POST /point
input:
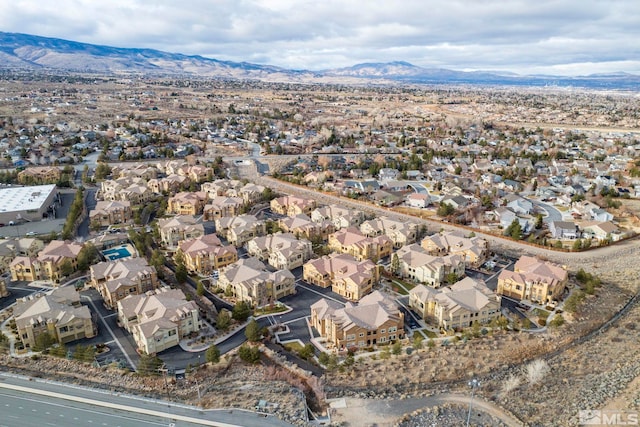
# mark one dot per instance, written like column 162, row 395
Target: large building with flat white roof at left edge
column 28, row 203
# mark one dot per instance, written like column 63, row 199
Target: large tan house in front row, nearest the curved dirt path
column 374, row 320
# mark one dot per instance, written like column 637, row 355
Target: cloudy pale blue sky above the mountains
column 565, row 37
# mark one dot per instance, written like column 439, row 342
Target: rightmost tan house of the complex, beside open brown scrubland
column 534, row 280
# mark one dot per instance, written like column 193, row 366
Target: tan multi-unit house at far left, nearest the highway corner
column 58, row 313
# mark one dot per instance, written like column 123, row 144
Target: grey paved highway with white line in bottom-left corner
column 28, row 403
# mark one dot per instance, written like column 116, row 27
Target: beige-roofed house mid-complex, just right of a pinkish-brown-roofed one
column 283, row 251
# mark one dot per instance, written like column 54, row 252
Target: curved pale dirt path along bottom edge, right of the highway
column 382, row 412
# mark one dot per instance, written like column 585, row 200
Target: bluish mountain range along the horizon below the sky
column 23, row 51
